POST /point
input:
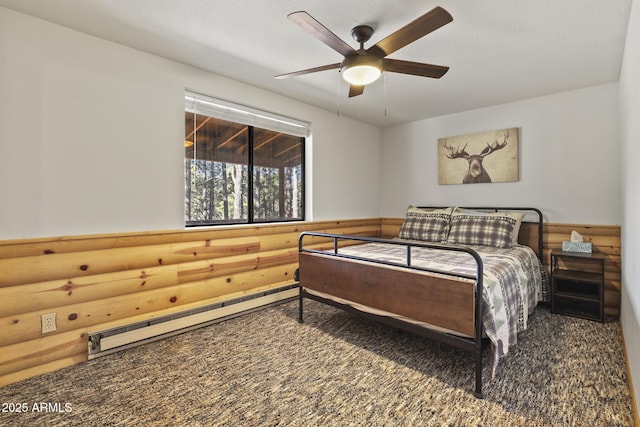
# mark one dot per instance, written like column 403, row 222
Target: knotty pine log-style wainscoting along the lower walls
column 104, row 281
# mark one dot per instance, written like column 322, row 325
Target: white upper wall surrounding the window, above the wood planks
column 91, row 137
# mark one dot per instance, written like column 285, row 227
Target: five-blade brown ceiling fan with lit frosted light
column 363, row 66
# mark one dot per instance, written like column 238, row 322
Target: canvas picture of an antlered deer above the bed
column 482, row 157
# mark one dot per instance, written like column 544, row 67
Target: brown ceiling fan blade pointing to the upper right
column 411, row 32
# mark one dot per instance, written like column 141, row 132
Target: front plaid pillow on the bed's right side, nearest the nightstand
column 493, row 230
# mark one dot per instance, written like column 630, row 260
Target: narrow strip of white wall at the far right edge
column 630, row 172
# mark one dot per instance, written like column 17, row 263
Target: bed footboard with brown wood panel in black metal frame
column 450, row 302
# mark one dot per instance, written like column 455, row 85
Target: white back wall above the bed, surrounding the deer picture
column 569, row 158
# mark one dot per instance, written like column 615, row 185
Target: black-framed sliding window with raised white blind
column 241, row 165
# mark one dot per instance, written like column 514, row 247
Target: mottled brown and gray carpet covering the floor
column 336, row 369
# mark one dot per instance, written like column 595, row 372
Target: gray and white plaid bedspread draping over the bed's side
column 512, row 285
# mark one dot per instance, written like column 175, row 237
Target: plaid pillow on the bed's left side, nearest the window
column 426, row 225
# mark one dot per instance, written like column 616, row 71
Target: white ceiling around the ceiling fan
column 498, row 50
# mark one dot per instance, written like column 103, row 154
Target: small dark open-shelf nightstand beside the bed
column 577, row 284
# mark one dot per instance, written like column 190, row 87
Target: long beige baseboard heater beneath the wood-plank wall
column 109, row 341
